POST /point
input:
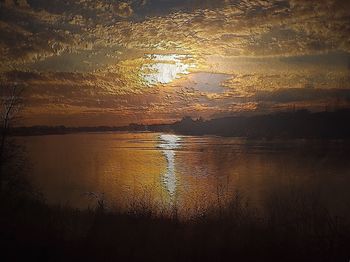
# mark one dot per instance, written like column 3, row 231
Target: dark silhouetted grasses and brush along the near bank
column 292, row 227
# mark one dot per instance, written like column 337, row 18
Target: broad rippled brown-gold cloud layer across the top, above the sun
column 264, row 28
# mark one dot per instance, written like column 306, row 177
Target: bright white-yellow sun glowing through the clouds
column 163, row 69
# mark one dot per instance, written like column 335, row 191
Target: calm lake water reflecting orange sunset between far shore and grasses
column 189, row 172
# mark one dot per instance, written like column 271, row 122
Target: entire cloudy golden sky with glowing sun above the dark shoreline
column 108, row 62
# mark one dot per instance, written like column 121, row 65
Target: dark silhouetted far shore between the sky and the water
column 299, row 124
